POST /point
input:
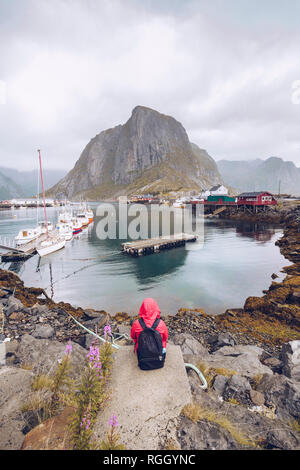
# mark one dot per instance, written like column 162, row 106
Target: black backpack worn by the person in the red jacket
column 149, row 351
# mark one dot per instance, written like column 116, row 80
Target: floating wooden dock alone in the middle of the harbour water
column 156, row 245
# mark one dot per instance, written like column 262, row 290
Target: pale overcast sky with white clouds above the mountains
column 224, row 68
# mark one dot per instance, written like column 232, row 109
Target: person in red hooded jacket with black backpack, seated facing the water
column 150, row 336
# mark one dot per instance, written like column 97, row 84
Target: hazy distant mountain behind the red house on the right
column 256, row 175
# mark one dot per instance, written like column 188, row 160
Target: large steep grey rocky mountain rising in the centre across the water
column 150, row 153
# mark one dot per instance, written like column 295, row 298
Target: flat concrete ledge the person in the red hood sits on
column 145, row 401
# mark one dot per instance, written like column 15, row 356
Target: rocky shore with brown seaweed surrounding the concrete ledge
column 250, row 358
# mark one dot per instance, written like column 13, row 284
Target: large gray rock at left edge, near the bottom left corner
column 14, row 391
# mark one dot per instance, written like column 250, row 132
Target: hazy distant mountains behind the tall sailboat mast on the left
column 24, row 183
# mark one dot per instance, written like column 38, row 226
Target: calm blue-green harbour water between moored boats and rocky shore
column 236, row 261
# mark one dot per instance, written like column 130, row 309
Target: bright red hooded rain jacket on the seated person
column 149, row 311
